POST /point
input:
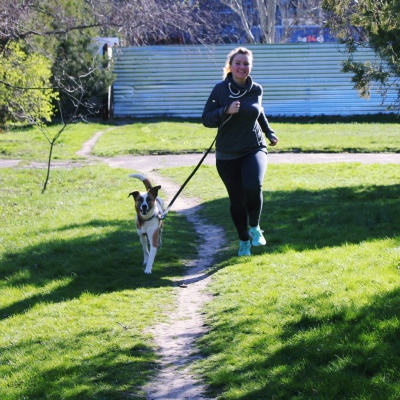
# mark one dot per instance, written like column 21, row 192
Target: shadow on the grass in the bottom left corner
column 113, row 373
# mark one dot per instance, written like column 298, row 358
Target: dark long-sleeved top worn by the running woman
column 239, row 133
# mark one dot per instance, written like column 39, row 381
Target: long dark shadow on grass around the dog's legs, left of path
column 95, row 264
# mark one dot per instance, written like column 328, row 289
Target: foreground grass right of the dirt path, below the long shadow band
column 318, row 325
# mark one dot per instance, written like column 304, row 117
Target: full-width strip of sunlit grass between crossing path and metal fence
column 373, row 134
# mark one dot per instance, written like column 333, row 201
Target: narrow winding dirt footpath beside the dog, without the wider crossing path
column 175, row 339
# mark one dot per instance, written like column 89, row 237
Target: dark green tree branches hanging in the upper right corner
column 374, row 24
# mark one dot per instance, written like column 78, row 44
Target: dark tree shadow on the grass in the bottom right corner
column 350, row 354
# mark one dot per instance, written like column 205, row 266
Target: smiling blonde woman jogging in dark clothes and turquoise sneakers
column 235, row 108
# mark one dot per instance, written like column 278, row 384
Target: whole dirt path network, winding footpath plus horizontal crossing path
column 176, row 338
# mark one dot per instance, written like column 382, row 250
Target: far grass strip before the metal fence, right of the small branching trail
column 163, row 137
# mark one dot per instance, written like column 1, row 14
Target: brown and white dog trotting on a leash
column 149, row 224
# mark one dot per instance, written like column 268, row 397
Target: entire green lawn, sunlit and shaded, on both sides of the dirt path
column 313, row 315
